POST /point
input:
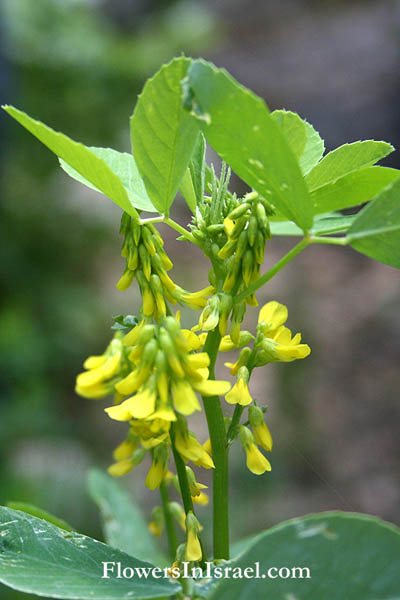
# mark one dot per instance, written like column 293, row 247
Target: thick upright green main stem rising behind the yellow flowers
column 216, row 427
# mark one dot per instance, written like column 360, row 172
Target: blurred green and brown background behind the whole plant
column 78, row 65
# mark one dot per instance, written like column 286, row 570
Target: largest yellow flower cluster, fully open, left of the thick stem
column 155, row 371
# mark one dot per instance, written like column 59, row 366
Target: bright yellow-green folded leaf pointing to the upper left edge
column 79, row 157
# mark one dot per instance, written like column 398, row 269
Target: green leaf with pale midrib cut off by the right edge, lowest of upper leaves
column 376, row 230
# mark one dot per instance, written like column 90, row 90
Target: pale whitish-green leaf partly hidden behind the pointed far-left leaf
column 124, row 167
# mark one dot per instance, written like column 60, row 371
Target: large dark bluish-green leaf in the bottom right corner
column 349, row 556
